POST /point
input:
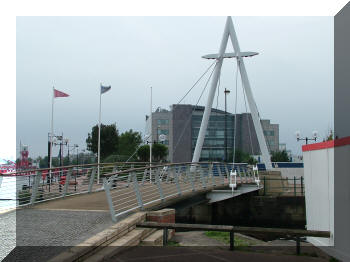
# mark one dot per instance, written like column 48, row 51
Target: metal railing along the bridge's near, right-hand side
column 137, row 188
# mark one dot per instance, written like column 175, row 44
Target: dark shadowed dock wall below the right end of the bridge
column 247, row 210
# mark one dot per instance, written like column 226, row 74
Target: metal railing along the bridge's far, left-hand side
column 27, row 187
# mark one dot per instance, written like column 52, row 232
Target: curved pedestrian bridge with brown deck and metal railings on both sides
column 125, row 187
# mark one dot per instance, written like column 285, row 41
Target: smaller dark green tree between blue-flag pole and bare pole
column 129, row 142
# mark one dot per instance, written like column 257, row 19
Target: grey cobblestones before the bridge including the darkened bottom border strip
column 42, row 234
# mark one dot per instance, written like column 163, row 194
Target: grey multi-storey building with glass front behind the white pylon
column 181, row 126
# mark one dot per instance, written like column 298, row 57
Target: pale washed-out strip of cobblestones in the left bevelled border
column 7, row 233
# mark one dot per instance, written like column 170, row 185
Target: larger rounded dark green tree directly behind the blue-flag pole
column 109, row 140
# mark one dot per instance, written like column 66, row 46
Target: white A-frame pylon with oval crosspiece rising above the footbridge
column 230, row 32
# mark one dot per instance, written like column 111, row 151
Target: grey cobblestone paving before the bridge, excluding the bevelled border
column 58, row 227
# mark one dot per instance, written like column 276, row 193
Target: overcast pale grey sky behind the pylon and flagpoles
column 291, row 78
